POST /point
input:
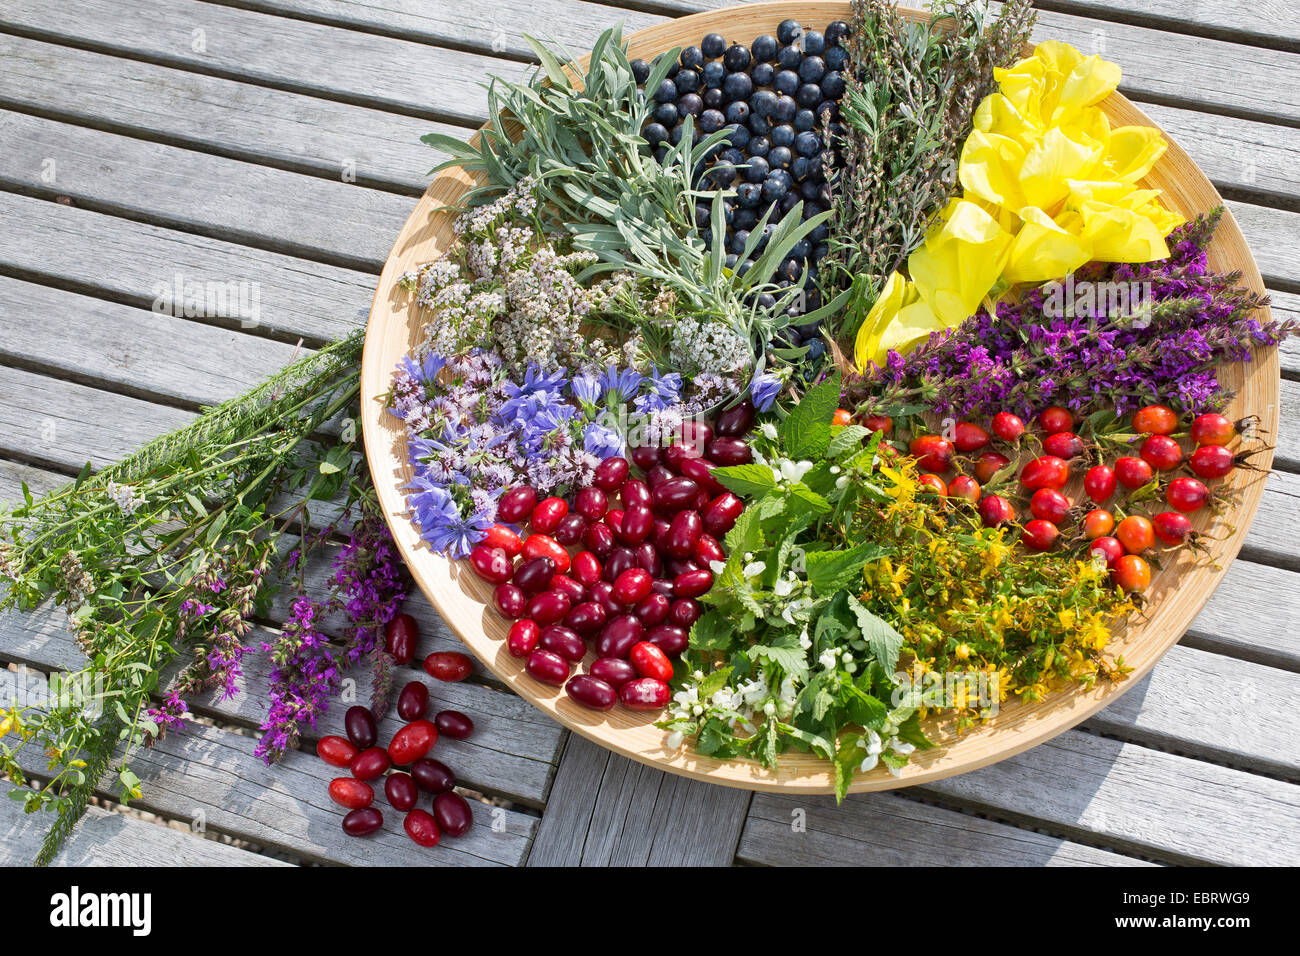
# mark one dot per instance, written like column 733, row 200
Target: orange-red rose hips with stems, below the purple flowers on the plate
column 1043, row 479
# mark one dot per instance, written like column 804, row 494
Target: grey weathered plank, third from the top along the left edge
column 258, row 206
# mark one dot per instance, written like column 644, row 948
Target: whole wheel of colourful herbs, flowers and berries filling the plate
column 751, row 358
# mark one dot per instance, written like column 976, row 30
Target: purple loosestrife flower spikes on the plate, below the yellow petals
column 1099, row 356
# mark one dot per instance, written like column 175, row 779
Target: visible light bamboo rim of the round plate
column 1180, row 591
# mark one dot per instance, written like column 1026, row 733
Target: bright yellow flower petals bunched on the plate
column 1048, row 185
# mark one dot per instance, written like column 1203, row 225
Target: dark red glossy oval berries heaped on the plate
column 618, row 570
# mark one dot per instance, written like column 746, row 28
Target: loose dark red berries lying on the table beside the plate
column 361, row 754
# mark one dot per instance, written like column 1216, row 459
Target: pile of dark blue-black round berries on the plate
column 778, row 98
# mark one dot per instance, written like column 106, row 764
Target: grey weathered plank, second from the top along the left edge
column 215, row 115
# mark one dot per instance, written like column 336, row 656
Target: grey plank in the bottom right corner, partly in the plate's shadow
column 1136, row 801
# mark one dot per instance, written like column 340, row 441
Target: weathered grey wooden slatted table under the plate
column 274, row 142
